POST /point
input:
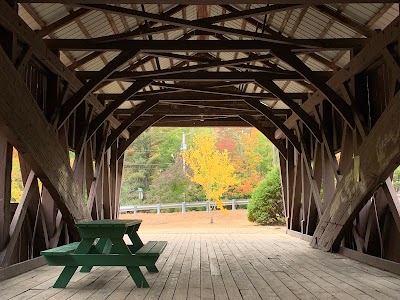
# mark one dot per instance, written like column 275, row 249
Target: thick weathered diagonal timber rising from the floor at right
column 379, row 155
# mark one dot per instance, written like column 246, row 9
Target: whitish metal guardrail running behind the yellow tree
column 182, row 206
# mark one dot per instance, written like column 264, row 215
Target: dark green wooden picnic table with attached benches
column 102, row 244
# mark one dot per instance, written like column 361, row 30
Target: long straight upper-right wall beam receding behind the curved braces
column 371, row 52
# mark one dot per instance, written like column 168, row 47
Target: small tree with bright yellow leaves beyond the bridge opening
column 211, row 168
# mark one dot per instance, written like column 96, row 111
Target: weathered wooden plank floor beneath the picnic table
column 221, row 266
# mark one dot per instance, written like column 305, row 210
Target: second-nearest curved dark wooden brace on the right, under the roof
column 311, row 124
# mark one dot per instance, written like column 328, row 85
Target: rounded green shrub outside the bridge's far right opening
column 265, row 206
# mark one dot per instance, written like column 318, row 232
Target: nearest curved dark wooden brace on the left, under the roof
column 72, row 103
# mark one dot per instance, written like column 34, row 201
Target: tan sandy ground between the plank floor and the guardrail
column 199, row 222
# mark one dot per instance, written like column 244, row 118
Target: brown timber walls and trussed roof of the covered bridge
column 320, row 79
